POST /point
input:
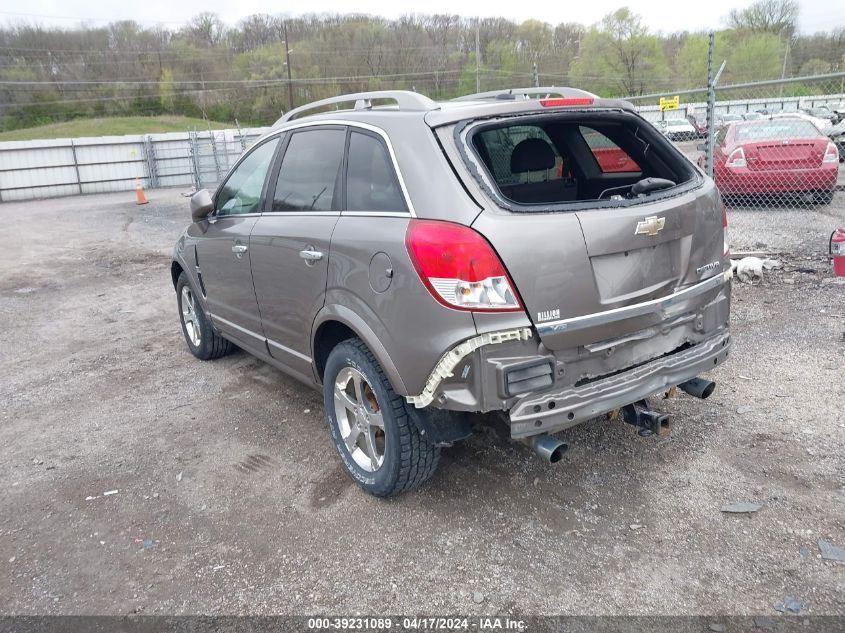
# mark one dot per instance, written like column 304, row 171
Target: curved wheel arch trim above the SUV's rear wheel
column 337, row 323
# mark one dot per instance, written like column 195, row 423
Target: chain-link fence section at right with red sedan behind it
column 776, row 143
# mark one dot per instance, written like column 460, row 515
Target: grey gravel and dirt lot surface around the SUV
column 229, row 498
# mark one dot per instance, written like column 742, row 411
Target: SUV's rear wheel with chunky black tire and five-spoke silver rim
column 380, row 446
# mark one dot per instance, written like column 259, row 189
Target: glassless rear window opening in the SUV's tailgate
column 563, row 159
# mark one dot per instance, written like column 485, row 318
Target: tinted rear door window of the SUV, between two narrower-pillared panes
column 309, row 177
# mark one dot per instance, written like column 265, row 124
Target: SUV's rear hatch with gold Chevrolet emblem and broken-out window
column 601, row 248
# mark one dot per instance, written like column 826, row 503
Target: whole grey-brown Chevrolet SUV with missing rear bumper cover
column 543, row 253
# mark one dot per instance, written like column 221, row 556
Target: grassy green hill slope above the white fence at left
column 111, row 126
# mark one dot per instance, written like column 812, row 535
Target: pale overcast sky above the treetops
column 659, row 15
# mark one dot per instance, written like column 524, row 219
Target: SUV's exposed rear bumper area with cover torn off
column 545, row 390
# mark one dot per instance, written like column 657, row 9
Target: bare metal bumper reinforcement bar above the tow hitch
column 556, row 410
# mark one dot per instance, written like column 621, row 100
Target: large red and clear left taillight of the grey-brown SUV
column 460, row 268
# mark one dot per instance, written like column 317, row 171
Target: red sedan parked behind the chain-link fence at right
column 775, row 156
